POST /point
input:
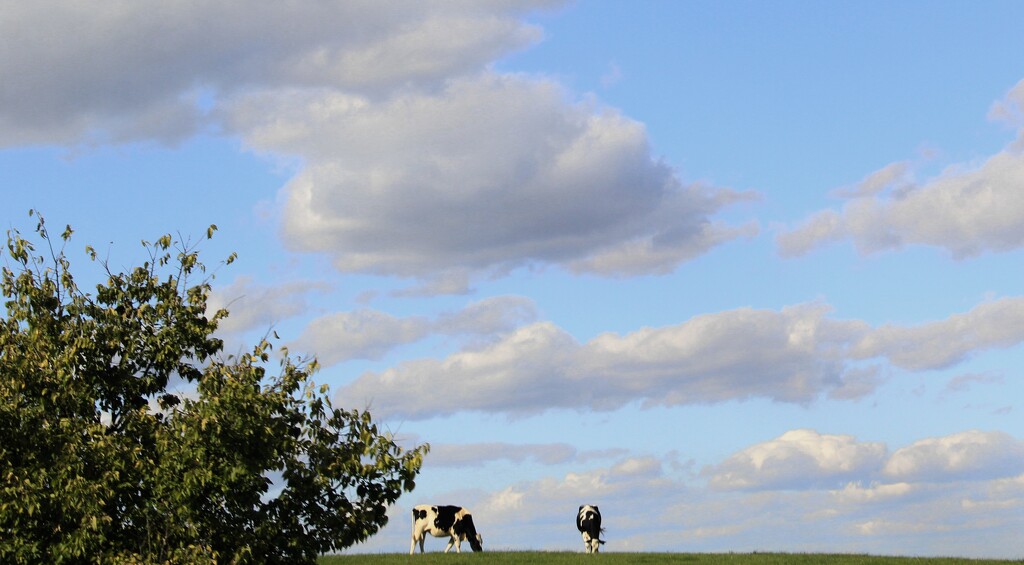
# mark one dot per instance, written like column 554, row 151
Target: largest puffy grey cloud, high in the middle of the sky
column 492, row 172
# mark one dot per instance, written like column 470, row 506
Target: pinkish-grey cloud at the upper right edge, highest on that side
column 966, row 210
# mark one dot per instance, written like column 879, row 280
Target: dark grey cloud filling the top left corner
column 127, row 70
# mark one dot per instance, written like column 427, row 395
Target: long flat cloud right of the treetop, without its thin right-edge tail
column 790, row 356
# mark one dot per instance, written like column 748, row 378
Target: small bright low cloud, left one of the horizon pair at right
column 798, row 460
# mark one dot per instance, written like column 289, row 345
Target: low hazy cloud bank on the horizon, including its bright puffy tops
column 802, row 492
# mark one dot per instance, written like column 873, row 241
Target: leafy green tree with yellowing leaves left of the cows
column 104, row 459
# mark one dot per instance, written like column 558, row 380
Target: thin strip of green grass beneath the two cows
column 567, row 558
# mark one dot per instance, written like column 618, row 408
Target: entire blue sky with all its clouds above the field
column 747, row 276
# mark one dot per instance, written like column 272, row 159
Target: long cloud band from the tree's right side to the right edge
column 797, row 355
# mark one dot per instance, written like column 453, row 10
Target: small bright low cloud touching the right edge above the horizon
column 973, row 455
